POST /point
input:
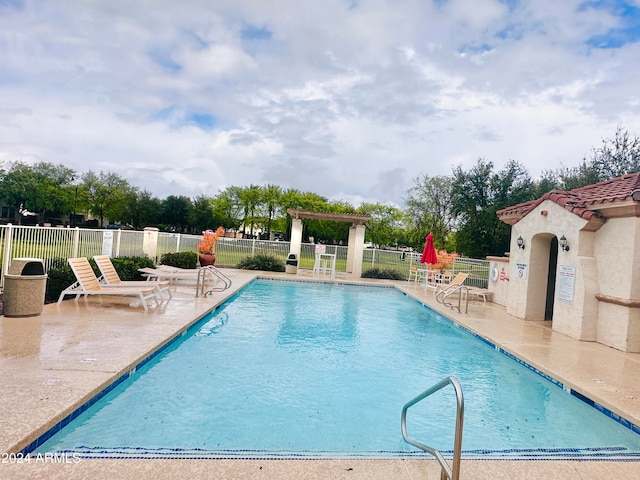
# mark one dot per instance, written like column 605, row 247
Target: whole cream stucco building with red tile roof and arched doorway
column 575, row 261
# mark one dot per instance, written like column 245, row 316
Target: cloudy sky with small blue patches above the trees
column 350, row 99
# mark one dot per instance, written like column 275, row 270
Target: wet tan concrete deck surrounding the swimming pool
column 54, row 363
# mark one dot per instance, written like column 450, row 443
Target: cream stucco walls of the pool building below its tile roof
column 602, row 260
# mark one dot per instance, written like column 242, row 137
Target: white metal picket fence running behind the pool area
column 54, row 245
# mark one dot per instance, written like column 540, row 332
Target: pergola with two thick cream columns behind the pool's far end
column 356, row 234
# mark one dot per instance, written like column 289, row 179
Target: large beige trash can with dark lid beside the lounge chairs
column 24, row 288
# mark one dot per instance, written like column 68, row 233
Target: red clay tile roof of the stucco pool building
column 583, row 201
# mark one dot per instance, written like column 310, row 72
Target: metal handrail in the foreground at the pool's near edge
column 452, row 473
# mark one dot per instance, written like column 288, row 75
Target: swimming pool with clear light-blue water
column 301, row 370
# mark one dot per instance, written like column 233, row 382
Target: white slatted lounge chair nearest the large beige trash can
column 87, row 284
